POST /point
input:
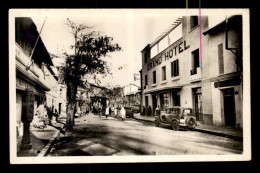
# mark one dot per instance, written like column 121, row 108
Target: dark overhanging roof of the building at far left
column 26, row 35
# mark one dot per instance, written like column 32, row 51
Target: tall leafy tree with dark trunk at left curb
column 89, row 48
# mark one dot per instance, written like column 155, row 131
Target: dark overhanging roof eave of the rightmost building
column 235, row 19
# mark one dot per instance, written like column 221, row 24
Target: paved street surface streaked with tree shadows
column 110, row 136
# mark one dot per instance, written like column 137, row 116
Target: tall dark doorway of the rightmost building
column 229, row 107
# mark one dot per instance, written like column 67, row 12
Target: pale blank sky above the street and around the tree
column 132, row 29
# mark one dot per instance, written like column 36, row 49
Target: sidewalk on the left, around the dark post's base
column 41, row 140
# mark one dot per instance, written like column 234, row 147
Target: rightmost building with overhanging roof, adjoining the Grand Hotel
column 223, row 77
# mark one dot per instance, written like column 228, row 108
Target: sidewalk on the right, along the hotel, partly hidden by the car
column 224, row 131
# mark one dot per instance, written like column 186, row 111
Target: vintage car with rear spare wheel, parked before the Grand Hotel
column 177, row 117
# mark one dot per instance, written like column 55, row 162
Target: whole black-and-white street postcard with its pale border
column 129, row 85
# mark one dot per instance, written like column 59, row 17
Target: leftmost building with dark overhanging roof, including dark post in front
column 31, row 86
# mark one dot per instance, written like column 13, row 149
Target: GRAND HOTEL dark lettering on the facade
column 173, row 50
